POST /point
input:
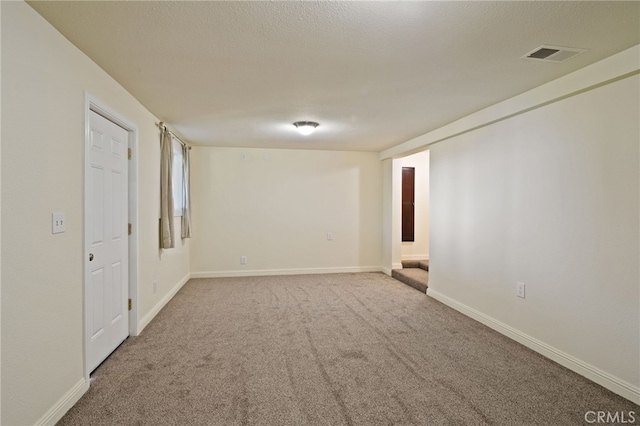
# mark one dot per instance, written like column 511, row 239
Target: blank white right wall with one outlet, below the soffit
column 550, row 198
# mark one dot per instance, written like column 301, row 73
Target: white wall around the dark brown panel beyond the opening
column 419, row 248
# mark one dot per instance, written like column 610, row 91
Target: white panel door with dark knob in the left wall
column 106, row 288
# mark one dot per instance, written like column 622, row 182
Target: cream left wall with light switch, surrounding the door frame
column 44, row 79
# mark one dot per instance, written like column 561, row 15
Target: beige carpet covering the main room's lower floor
column 340, row 349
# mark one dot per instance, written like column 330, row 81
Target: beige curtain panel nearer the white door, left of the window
column 166, row 190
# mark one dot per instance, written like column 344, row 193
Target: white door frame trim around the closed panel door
column 94, row 104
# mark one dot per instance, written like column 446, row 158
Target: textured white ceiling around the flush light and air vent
column 373, row 74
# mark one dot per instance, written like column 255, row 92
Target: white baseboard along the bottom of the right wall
column 604, row 379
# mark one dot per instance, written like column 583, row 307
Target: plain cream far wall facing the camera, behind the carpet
column 276, row 207
